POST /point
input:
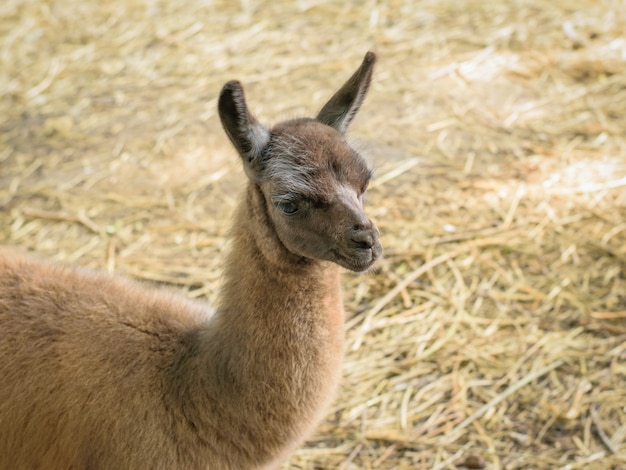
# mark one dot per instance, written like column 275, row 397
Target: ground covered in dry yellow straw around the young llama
column 493, row 334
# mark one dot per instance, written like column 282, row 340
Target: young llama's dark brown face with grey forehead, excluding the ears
column 314, row 183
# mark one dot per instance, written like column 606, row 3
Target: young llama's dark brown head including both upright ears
column 312, row 180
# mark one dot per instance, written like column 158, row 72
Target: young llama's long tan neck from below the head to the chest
column 268, row 361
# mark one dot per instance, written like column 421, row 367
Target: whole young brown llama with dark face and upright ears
column 98, row 372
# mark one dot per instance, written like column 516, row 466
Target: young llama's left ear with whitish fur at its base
column 246, row 133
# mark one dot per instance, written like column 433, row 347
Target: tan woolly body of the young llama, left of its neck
column 82, row 361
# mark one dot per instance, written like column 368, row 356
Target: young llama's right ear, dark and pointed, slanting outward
column 344, row 104
